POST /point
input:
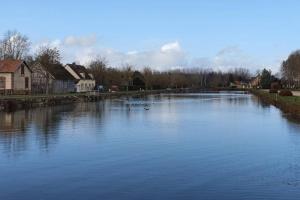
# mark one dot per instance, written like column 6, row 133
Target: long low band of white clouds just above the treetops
column 167, row 56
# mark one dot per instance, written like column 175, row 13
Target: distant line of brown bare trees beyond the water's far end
column 154, row 79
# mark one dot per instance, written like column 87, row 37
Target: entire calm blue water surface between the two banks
column 189, row 146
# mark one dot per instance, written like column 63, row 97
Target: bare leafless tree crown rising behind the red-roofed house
column 14, row 45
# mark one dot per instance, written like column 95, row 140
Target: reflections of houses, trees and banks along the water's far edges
column 18, row 129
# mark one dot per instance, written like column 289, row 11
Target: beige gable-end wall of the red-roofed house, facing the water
column 19, row 80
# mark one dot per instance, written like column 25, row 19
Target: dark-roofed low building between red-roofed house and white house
column 53, row 78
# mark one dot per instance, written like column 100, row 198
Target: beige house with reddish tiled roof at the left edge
column 15, row 77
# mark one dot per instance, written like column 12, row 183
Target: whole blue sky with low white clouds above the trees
column 219, row 34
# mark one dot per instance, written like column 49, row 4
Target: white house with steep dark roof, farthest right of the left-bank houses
column 85, row 81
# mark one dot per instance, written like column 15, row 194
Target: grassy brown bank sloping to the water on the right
column 288, row 104
